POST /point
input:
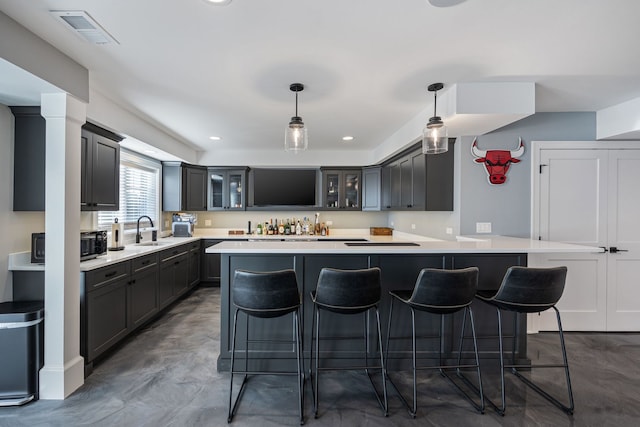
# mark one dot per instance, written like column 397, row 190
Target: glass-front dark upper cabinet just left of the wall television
column 227, row 188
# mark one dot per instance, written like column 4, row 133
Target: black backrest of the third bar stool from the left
column 443, row 291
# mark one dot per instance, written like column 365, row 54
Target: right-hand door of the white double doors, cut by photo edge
column 623, row 268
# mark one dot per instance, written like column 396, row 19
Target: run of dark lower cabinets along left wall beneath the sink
column 118, row 299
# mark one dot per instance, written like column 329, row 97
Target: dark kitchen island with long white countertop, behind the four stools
column 400, row 259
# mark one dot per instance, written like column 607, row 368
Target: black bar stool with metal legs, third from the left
column 441, row 292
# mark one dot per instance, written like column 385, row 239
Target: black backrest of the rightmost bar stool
column 530, row 290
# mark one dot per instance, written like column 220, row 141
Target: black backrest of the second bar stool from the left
column 348, row 290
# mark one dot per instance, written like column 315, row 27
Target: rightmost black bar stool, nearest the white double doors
column 529, row 290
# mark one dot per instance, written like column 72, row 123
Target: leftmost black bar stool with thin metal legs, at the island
column 266, row 295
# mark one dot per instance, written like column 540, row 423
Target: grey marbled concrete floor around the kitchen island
column 166, row 376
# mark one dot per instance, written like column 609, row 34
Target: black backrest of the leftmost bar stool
column 266, row 294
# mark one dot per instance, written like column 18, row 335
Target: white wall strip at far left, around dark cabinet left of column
column 15, row 227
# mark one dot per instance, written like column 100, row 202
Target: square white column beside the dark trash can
column 63, row 370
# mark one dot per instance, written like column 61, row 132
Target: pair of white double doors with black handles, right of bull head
column 591, row 195
